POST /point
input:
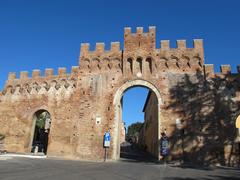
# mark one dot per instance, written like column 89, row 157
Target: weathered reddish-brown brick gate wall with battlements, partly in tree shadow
column 186, row 89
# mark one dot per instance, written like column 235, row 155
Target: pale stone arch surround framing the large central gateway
column 117, row 111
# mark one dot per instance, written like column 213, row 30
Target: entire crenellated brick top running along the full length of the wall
column 139, row 57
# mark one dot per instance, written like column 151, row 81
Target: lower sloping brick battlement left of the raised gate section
column 40, row 85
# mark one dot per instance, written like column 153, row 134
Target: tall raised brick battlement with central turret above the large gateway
column 141, row 46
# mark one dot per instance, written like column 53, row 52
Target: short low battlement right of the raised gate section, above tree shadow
column 224, row 70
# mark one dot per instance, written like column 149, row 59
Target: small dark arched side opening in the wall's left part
column 41, row 124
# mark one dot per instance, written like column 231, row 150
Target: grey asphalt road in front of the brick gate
column 36, row 169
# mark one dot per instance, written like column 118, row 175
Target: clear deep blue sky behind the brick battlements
column 48, row 33
